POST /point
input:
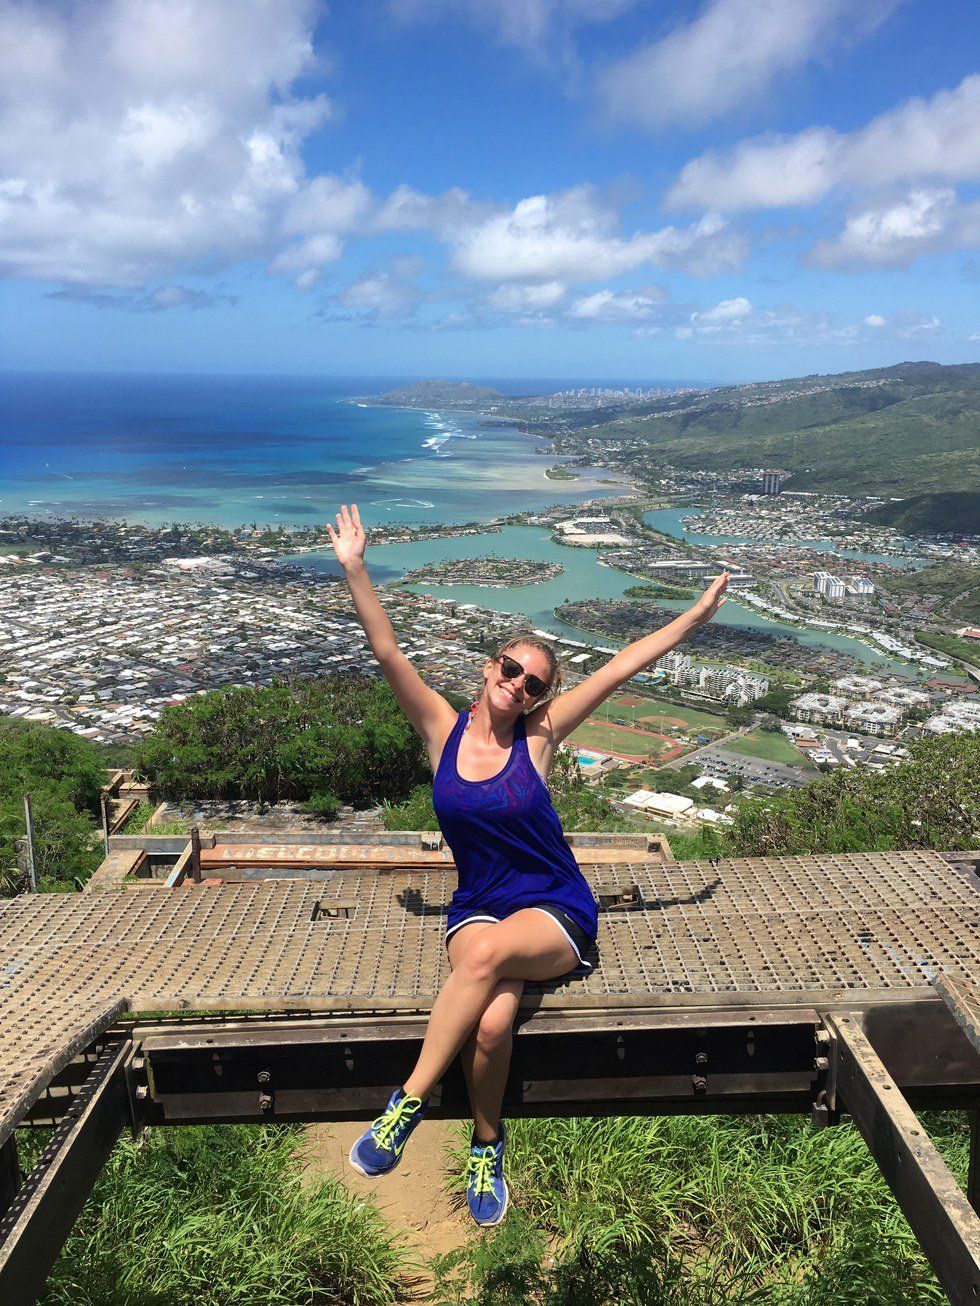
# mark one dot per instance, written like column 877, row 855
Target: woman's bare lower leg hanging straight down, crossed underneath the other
column 487, row 1055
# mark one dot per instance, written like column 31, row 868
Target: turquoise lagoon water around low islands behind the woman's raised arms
column 583, row 577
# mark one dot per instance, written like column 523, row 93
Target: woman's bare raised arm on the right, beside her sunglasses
column 563, row 715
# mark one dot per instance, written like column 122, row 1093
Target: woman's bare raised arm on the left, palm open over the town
column 427, row 710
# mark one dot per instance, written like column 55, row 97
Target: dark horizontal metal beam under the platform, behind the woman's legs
column 563, row 1066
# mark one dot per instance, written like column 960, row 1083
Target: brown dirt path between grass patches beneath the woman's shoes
column 412, row 1197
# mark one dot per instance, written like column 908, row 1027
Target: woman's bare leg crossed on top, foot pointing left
column 527, row 946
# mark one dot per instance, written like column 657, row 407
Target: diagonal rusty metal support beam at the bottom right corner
column 936, row 1207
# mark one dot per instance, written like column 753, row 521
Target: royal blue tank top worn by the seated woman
column 506, row 839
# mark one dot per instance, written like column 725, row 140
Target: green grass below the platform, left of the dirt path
column 219, row 1217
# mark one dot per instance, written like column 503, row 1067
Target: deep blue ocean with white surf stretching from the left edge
column 238, row 450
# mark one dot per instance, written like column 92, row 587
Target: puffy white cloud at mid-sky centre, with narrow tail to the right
column 573, row 237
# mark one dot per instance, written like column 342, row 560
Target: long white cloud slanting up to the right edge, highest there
column 923, row 140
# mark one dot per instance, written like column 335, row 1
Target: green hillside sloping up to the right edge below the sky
column 905, row 430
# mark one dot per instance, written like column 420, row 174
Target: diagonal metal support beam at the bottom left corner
column 42, row 1214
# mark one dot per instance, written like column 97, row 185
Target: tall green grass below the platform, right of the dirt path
column 697, row 1210
